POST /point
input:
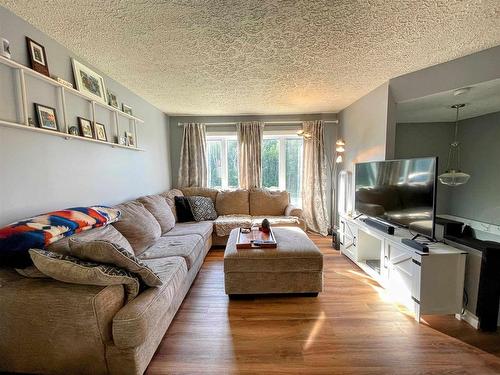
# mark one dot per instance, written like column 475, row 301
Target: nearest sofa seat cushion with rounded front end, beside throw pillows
column 135, row 321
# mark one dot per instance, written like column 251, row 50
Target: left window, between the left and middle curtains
column 222, row 159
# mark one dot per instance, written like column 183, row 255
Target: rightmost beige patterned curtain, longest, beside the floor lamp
column 314, row 178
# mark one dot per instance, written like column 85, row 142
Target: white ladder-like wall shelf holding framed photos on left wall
column 23, row 70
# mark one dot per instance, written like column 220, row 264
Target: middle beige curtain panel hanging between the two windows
column 250, row 145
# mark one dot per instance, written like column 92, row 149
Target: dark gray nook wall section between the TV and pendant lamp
column 427, row 139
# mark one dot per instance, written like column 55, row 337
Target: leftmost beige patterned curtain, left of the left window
column 193, row 166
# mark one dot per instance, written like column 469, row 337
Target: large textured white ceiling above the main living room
column 262, row 57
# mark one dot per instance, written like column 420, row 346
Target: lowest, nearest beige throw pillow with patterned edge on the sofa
column 69, row 269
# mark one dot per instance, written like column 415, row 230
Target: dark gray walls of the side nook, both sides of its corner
column 480, row 157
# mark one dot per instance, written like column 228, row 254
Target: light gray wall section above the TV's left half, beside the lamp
column 365, row 127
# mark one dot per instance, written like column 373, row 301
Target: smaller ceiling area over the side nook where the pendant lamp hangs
column 481, row 99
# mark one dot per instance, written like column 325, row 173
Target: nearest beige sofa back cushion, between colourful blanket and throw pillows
column 107, row 233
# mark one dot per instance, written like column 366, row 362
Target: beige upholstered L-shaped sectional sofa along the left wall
column 51, row 327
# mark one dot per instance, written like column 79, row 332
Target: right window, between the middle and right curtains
column 282, row 165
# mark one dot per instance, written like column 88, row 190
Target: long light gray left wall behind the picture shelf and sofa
column 40, row 172
